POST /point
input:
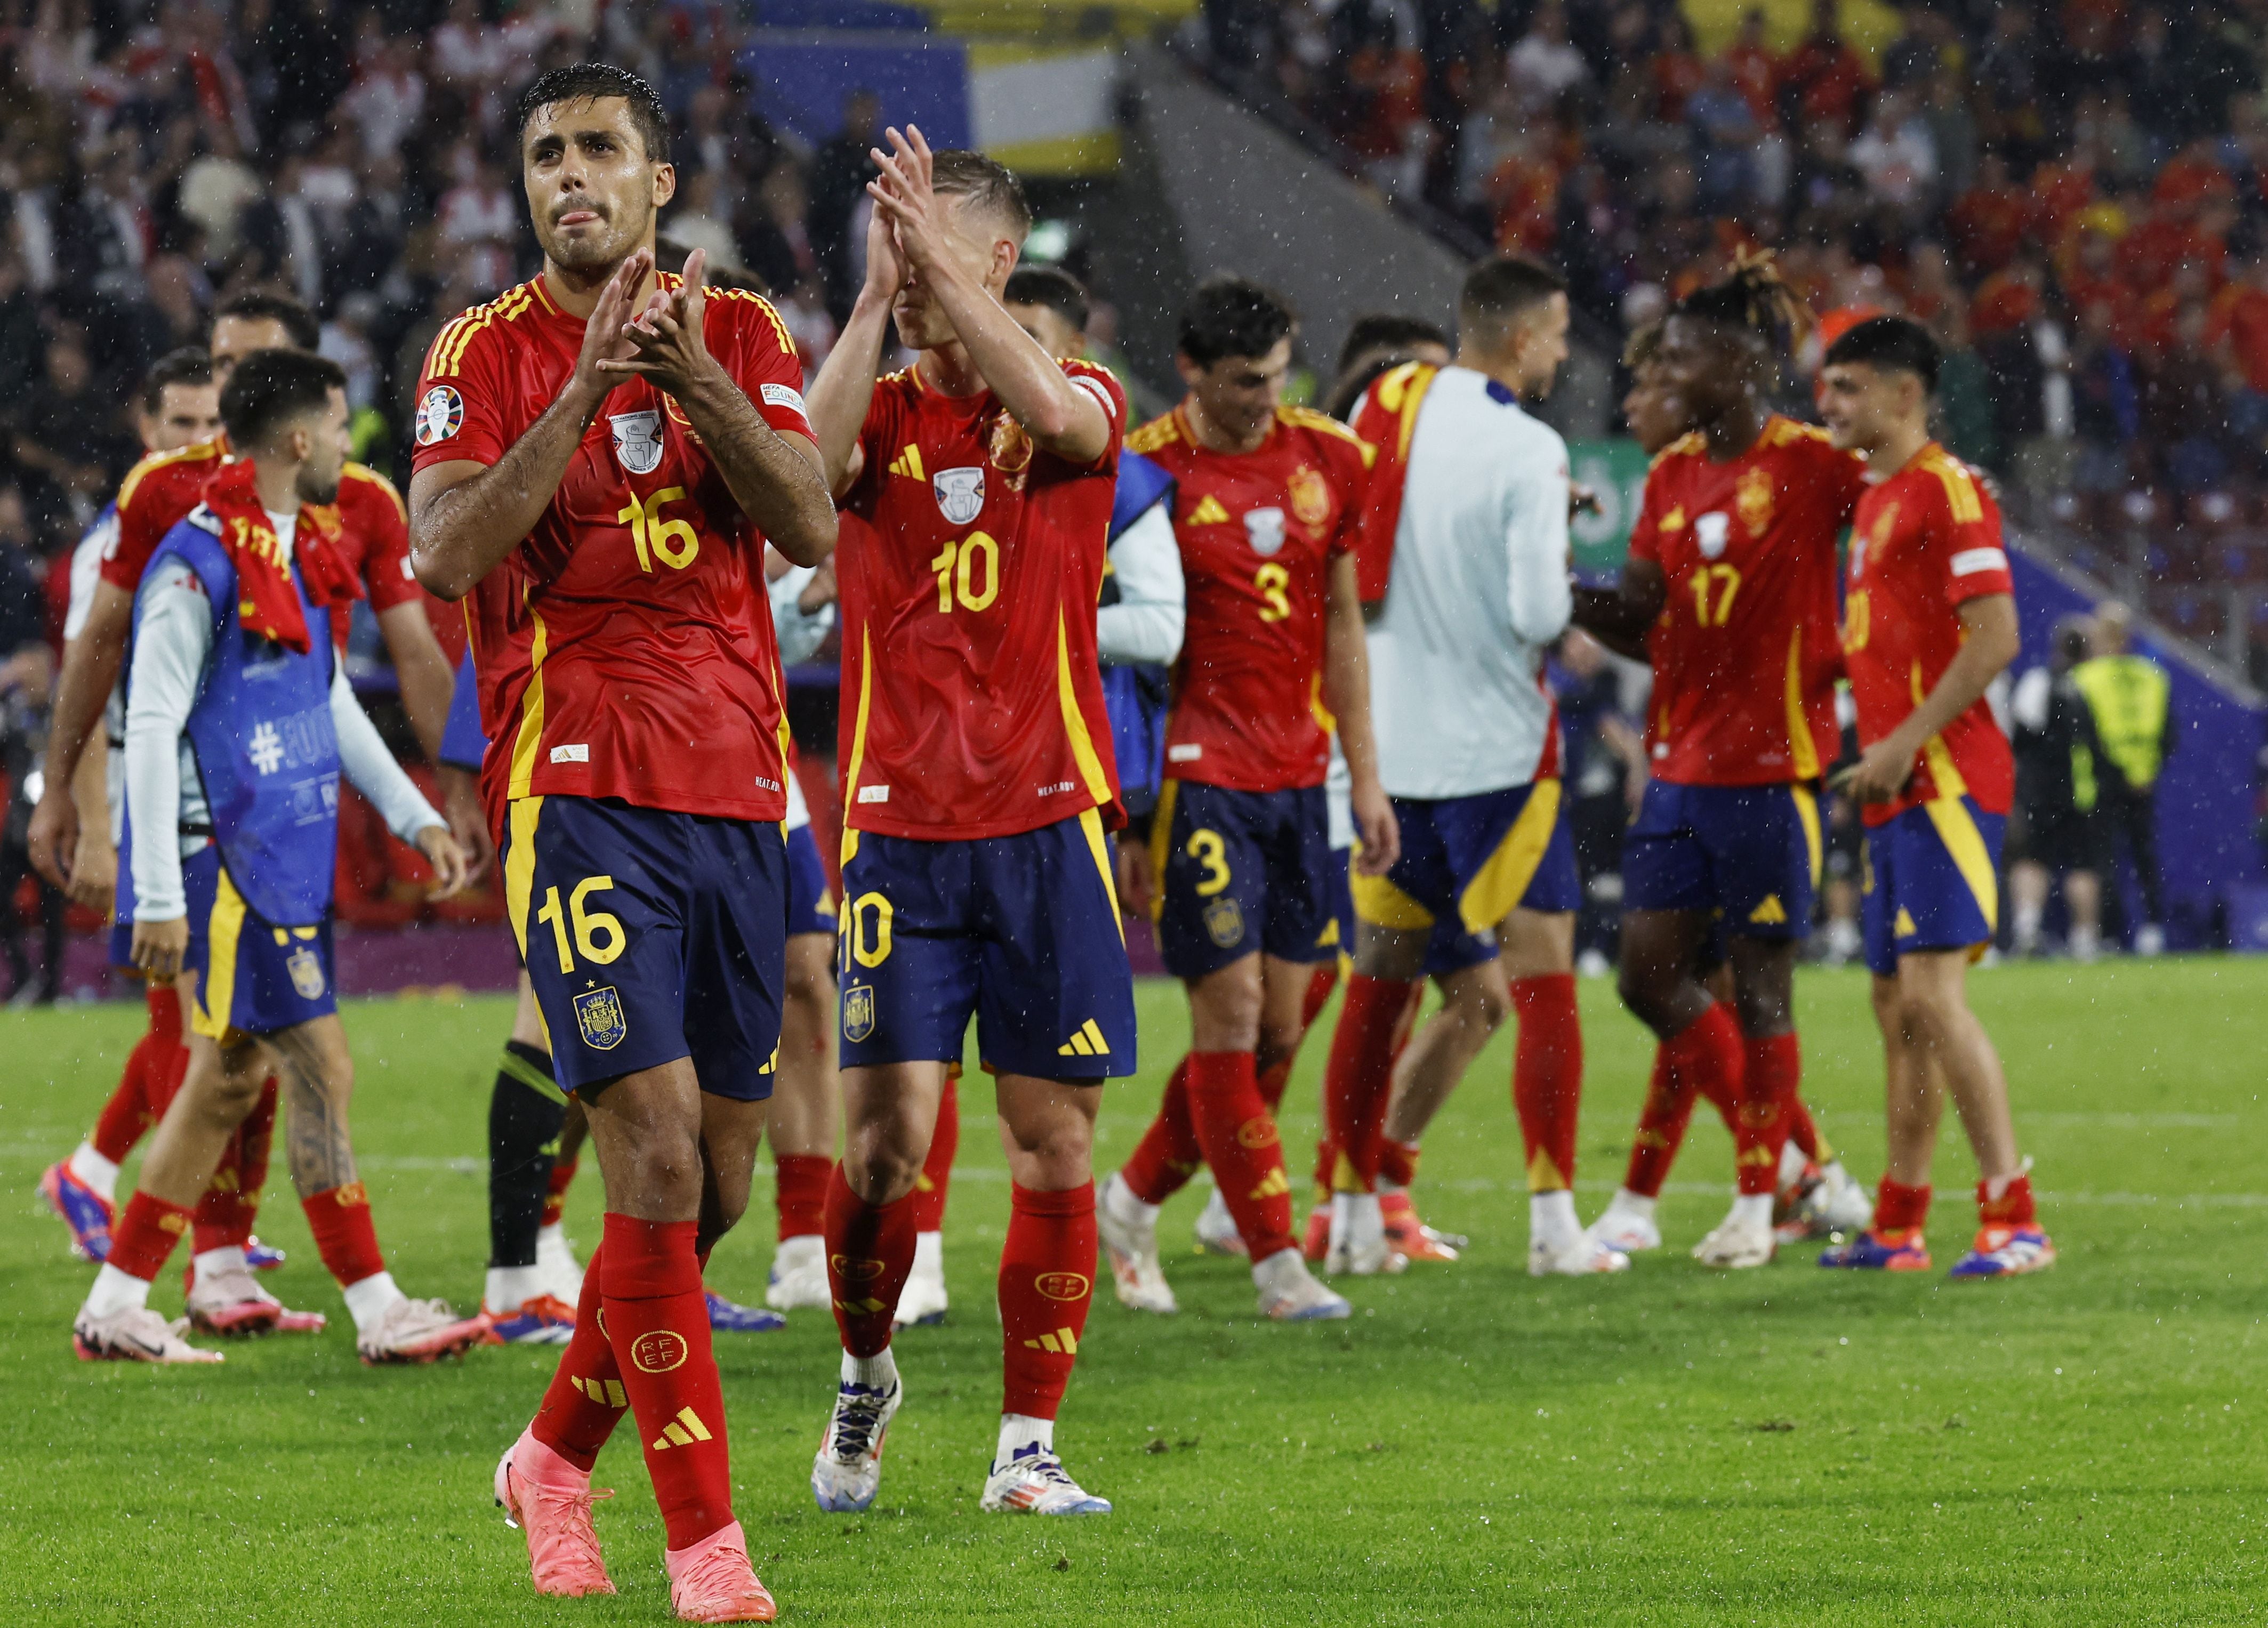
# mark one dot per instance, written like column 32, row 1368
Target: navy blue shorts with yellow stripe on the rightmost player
column 1931, row 881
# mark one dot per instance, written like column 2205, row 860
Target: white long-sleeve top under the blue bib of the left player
column 171, row 645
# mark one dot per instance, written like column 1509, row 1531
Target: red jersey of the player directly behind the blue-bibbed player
column 366, row 525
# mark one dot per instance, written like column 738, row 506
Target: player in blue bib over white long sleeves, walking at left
column 239, row 722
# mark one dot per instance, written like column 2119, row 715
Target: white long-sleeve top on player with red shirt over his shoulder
column 1480, row 591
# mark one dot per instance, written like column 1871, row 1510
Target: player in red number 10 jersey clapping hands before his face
column 979, row 788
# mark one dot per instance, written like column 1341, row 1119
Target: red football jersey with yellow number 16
column 625, row 650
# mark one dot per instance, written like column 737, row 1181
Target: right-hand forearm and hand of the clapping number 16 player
column 775, row 477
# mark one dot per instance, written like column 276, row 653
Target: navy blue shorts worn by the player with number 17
column 1747, row 854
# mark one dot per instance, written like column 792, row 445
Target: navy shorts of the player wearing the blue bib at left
column 253, row 976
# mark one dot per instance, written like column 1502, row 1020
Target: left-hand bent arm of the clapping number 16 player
column 468, row 516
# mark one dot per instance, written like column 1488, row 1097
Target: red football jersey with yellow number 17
column 1745, row 647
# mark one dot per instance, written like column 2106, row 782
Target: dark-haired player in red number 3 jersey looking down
column 1267, row 507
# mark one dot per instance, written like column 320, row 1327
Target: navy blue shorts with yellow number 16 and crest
column 650, row 935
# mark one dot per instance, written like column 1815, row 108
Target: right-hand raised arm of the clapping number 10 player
column 1056, row 414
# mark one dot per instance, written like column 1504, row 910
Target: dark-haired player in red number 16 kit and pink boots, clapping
column 602, row 457
